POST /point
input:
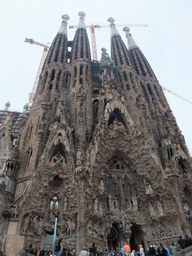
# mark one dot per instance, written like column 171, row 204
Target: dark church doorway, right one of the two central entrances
column 137, row 237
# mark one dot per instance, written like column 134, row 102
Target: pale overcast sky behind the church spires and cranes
column 166, row 43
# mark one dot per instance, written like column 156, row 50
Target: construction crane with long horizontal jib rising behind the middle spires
column 93, row 38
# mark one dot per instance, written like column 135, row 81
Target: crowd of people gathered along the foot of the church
column 161, row 250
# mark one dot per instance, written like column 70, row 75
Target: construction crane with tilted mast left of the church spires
column 46, row 47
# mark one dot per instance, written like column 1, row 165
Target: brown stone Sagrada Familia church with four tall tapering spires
column 99, row 151
